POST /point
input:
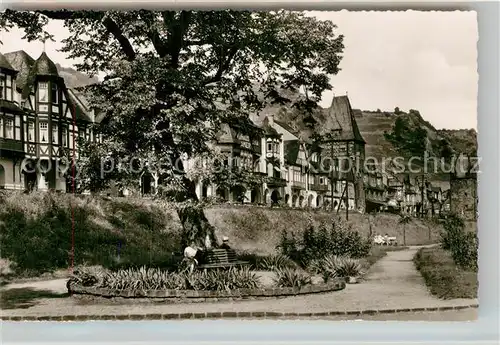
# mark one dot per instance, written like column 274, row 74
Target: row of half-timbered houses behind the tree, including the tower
column 41, row 118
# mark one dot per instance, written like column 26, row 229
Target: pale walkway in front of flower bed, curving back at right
column 392, row 283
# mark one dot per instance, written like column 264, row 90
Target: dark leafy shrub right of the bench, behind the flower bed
column 318, row 242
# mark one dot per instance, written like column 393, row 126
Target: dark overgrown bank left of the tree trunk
column 36, row 232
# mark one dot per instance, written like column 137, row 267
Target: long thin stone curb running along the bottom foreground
column 227, row 315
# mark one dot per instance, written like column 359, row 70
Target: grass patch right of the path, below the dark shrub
column 445, row 279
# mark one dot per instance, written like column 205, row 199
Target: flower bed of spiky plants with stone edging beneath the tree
column 199, row 285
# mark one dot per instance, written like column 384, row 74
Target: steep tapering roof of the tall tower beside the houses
column 341, row 121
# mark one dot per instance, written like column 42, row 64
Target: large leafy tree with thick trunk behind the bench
column 174, row 76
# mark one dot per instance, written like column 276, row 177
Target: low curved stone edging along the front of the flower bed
column 203, row 296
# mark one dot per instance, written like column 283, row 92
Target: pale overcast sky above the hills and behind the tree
column 411, row 60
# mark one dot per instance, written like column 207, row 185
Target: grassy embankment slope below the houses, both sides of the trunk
column 36, row 229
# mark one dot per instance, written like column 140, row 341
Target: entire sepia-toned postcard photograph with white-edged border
column 237, row 164
